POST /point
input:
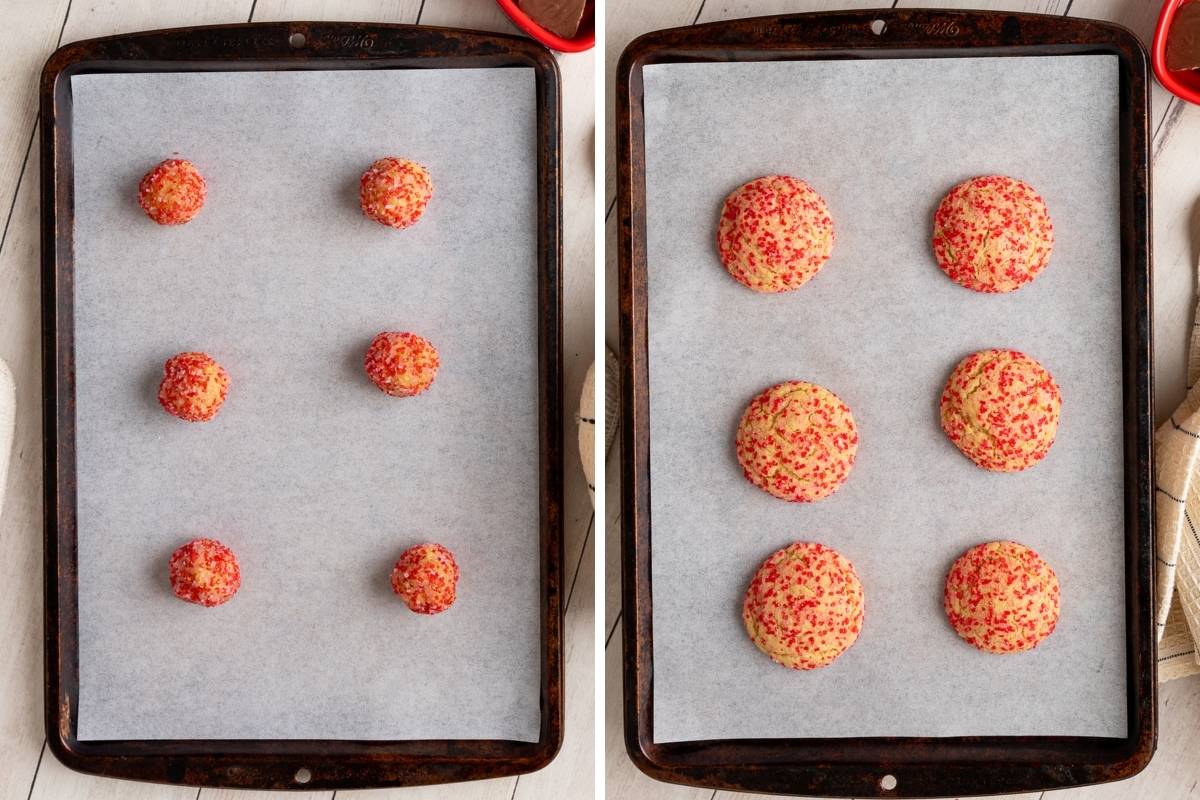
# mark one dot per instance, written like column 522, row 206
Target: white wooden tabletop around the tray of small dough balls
column 31, row 32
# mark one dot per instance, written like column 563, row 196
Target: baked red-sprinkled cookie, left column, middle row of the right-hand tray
column 797, row 442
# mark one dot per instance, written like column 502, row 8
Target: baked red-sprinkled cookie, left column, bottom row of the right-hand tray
column 805, row 606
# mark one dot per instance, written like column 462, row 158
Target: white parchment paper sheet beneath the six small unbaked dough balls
column 316, row 479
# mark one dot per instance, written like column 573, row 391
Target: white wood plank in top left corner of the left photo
column 28, row 37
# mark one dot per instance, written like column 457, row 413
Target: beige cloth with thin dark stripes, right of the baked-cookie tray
column 1178, row 510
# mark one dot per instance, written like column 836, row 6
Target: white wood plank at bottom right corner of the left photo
column 573, row 774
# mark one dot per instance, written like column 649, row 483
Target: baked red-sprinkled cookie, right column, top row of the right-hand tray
column 993, row 234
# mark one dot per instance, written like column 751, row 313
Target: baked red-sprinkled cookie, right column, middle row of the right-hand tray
column 1001, row 410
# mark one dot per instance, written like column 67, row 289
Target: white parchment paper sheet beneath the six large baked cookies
column 883, row 327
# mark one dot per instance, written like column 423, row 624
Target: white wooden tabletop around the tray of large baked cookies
column 1175, row 771
